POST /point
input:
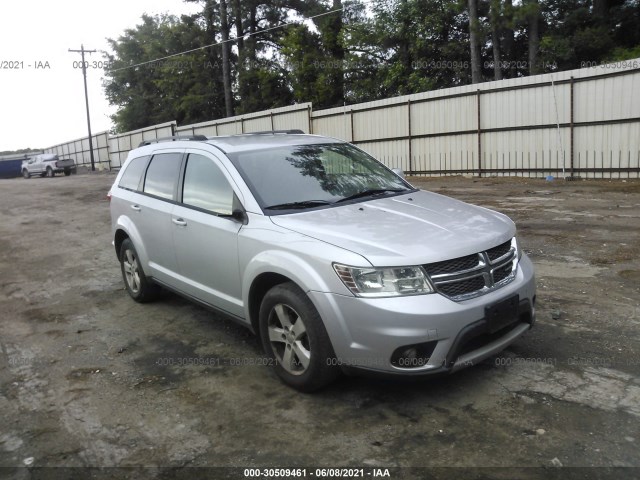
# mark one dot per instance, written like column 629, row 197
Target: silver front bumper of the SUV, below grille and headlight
column 367, row 333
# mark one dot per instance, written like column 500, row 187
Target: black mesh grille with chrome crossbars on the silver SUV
column 474, row 275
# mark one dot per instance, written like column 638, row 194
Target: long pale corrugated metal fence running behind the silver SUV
column 579, row 123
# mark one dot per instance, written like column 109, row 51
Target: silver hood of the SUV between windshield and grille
column 411, row 229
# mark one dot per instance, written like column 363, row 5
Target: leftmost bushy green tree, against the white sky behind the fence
column 149, row 88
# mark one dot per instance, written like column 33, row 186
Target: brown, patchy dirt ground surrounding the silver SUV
column 90, row 378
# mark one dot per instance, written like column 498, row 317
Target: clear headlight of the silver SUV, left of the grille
column 384, row 282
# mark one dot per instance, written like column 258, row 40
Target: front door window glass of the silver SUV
column 206, row 187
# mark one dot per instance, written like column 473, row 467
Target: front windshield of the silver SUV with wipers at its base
column 314, row 176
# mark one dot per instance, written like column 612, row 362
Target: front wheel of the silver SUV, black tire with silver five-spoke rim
column 294, row 337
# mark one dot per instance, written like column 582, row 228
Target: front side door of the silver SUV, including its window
column 205, row 236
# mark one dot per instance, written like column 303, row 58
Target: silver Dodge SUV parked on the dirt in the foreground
column 336, row 261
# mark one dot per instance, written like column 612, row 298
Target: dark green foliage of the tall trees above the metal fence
column 365, row 51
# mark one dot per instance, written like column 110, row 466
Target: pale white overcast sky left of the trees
column 42, row 99
